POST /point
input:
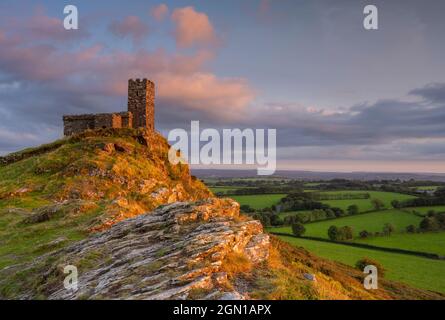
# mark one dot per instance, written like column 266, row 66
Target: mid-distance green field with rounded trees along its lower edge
column 371, row 222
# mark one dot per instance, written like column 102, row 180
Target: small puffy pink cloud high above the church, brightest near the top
column 192, row 28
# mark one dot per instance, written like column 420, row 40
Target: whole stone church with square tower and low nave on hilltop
column 140, row 114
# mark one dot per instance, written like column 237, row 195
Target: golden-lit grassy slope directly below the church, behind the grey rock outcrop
column 55, row 194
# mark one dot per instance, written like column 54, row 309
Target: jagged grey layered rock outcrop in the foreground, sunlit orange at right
column 170, row 253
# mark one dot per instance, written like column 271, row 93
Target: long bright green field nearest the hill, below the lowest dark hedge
column 415, row 271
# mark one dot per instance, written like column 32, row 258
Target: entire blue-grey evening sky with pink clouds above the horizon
column 341, row 98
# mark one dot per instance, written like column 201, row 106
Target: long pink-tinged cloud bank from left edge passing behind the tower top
column 183, row 80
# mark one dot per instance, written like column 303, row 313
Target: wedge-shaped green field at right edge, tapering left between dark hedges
column 432, row 242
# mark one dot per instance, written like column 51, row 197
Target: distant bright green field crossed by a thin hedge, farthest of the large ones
column 365, row 204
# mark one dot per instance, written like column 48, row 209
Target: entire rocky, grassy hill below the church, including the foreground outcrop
column 136, row 227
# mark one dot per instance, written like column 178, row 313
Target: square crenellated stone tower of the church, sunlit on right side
column 141, row 103
